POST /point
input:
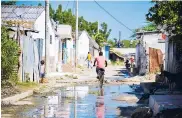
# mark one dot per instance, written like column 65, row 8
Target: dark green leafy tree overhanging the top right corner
column 167, row 14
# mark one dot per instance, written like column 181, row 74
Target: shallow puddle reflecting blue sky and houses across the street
column 92, row 102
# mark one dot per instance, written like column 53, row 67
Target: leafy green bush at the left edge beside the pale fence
column 9, row 55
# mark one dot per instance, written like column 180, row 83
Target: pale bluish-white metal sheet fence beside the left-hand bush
column 30, row 59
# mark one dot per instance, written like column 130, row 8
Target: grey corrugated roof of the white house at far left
column 26, row 13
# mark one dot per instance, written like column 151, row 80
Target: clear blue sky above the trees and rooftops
column 130, row 13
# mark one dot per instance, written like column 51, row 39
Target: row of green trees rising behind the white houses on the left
column 66, row 17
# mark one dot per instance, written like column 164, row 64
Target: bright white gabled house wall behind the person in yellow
column 83, row 47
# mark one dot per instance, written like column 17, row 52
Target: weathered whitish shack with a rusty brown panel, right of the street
column 150, row 51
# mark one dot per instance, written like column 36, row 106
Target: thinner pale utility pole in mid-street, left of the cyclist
column 76, row 36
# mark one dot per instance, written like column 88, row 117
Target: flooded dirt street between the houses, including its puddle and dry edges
column 58, row 98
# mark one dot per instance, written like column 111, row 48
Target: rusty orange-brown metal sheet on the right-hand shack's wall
column 155, row 59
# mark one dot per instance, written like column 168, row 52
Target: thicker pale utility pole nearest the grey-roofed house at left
column 46, row 37
